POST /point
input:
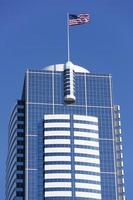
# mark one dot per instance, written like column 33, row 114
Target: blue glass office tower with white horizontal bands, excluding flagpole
column 65, row 138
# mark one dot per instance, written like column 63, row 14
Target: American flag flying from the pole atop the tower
column 78, row 19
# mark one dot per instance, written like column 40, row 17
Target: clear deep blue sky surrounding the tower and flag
column 33, row 34
